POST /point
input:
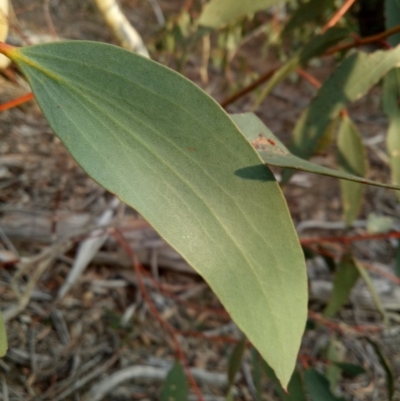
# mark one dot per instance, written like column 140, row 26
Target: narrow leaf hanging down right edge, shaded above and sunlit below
column 391, row 96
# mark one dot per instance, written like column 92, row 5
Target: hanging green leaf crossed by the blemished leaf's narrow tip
column 352, row 159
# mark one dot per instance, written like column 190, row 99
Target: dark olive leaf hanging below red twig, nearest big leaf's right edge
column 346, row 277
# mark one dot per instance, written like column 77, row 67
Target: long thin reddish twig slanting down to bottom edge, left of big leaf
column 138, row 270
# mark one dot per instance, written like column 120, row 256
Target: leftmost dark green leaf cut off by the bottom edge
column 176, row 386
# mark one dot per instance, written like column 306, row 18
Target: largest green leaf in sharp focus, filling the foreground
column 166, row 148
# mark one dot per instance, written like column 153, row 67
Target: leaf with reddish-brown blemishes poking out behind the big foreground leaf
column 275, row 153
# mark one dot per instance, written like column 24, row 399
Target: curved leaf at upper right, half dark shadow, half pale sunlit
column 350, row 81
